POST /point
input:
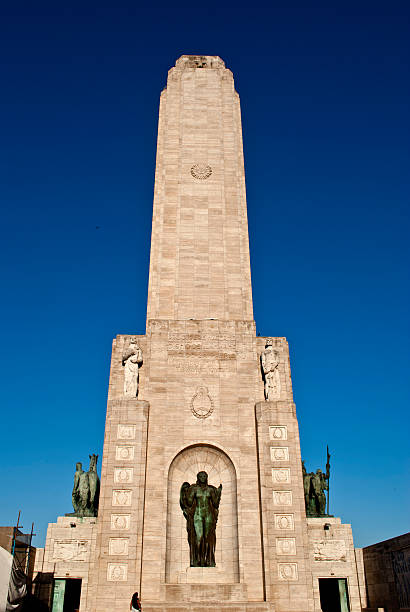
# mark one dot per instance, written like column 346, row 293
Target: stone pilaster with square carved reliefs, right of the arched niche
column 285, row 540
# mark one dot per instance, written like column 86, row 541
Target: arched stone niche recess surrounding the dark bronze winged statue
column 220, row 469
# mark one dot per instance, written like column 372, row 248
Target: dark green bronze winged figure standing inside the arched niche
column 200, row 505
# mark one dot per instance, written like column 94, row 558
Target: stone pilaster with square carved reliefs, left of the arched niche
column 116, row 571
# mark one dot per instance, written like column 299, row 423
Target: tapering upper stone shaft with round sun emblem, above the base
column 199, row 251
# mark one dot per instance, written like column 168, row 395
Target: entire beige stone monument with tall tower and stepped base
column 199, row 393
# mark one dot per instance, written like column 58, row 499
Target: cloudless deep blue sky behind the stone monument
column 325, row 102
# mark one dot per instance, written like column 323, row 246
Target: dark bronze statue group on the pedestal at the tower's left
column 86, row 490
